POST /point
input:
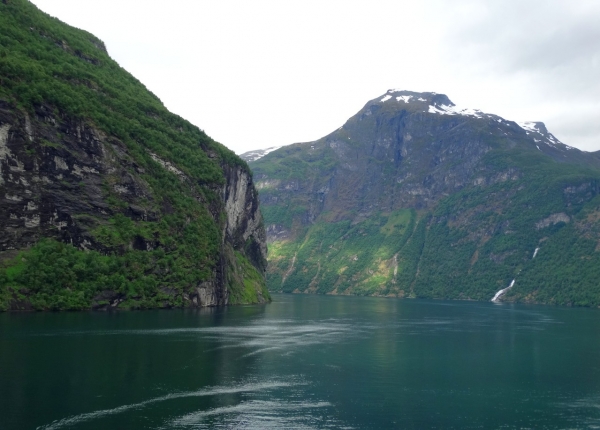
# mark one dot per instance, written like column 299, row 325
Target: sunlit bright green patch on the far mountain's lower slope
column 341, row 258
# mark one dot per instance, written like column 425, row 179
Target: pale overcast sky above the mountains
column 259, row 73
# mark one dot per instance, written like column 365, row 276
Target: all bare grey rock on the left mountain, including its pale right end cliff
column 56, row 174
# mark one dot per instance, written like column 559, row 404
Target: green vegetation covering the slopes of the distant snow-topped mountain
column 468, row 245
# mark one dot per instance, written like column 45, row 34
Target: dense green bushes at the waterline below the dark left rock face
column 58, row 276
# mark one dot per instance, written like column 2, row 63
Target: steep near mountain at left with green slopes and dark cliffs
column 108, row 199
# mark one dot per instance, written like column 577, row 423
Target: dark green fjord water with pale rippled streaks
column 304, row 362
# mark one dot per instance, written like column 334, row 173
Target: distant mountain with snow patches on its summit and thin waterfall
column 415, row 197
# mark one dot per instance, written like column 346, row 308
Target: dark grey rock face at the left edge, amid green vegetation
column 52, row 169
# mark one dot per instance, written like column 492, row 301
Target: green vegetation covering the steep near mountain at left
column 47, row 65
